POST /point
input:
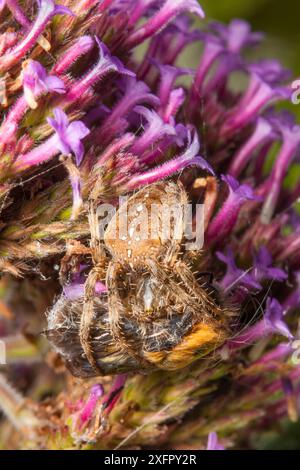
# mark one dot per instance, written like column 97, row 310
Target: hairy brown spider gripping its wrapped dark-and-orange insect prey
column 156, row 313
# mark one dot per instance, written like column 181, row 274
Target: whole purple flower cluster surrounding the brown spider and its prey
column 85, row 115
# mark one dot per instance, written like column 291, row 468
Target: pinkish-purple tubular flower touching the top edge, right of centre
column 169, row 10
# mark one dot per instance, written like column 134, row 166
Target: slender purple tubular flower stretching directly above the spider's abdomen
column 188, row 158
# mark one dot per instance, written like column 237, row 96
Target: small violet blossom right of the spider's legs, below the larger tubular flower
column 235, row 276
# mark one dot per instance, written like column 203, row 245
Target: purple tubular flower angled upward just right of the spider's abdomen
column 226, row 218
